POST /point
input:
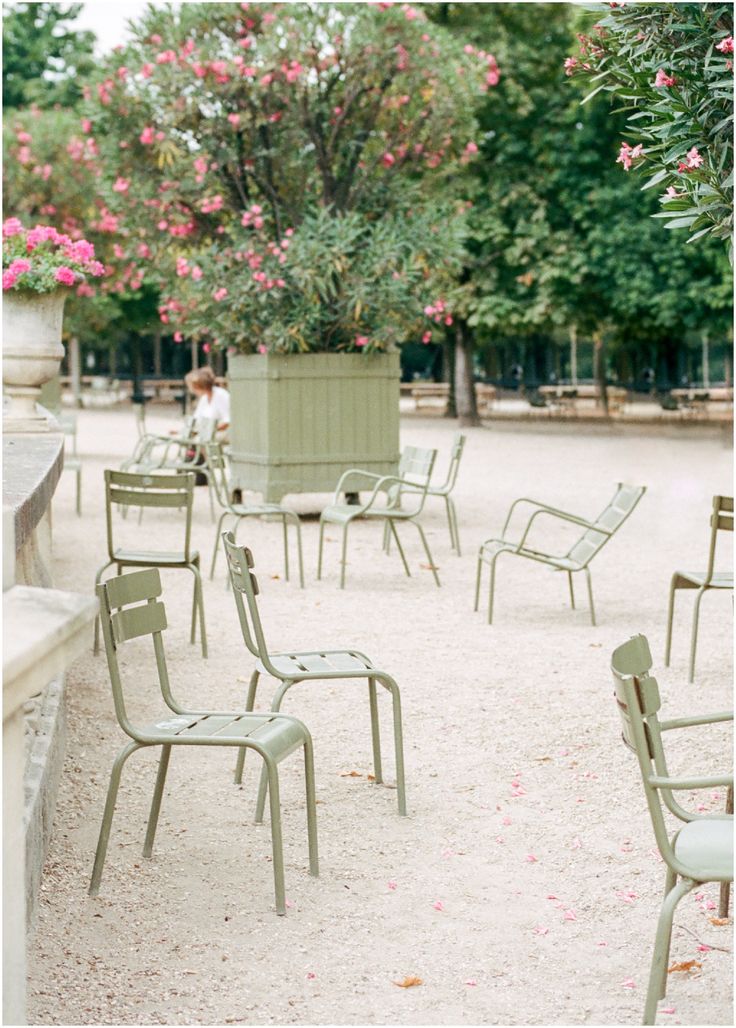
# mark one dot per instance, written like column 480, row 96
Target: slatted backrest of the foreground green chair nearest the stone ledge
column 130, row 608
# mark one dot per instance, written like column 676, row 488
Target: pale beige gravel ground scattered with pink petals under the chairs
column 524, row 888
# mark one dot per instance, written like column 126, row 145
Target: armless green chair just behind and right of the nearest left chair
column 290, row 669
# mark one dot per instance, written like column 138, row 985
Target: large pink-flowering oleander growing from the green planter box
column 286, row 171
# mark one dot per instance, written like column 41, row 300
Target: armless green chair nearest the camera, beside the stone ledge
column 130, row 608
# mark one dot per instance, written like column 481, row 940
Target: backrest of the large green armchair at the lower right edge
column 639, row 703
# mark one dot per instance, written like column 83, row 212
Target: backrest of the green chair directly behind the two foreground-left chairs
column 174, row 490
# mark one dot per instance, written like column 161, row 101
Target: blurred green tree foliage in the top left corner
column 45, row 59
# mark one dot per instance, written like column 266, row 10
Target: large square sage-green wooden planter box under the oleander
column 299, row 421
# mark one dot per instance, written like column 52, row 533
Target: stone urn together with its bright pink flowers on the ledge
column 41, row 266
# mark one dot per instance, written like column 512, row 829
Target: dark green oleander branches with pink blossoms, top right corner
column 672, row 66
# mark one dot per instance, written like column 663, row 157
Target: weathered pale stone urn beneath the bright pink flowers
column 32, row 353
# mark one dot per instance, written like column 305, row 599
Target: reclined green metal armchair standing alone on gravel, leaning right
column 578, row 559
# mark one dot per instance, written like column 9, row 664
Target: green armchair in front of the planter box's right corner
column 415, row 473
